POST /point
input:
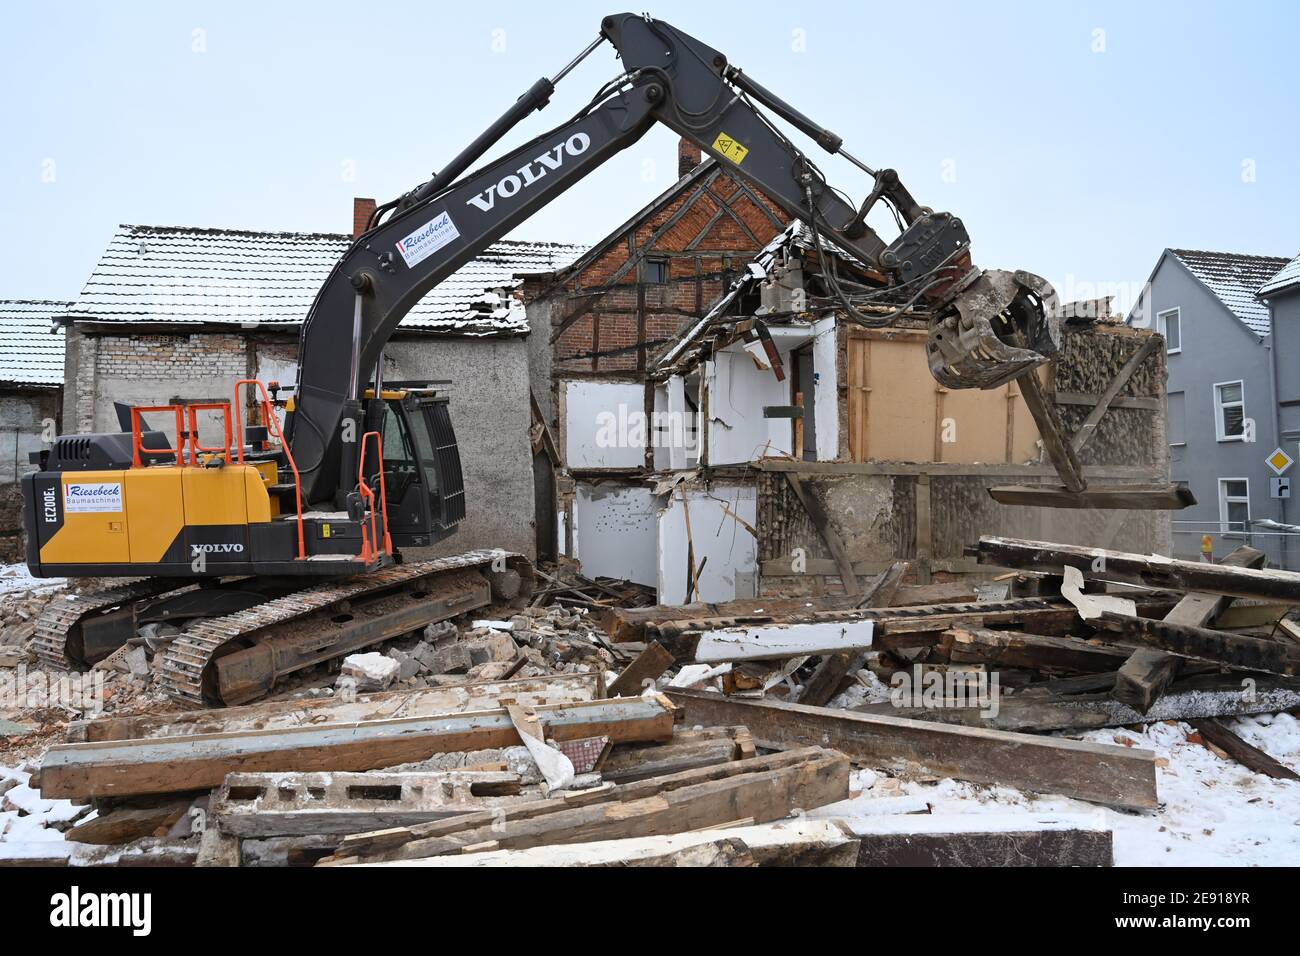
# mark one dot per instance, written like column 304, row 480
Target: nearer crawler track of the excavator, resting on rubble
column 327, row 621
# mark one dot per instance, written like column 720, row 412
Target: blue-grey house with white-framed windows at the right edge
column 1234, row 391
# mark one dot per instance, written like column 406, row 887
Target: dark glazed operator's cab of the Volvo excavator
column 422, row 481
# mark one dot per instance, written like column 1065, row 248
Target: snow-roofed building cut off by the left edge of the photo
column 32, row 383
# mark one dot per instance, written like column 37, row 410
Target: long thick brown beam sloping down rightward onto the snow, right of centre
column 1099, row 773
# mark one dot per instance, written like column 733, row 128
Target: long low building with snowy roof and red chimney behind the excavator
column 181, row 314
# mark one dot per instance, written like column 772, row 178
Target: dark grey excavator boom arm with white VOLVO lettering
column 669, row 77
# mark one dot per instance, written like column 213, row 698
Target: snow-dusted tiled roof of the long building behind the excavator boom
column 228, row 276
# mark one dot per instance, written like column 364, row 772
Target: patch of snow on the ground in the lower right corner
column 1214, row 812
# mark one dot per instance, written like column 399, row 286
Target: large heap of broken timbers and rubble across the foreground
column 653, row 736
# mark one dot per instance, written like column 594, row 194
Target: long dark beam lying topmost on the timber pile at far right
column 1150, row 570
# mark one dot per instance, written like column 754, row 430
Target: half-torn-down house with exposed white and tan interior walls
column 792, row 451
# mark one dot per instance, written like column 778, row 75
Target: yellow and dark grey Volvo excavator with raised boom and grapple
column 281, row 547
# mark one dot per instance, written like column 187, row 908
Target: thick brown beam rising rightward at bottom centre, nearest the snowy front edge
column 814, row 778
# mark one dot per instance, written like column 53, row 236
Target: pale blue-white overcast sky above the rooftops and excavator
column 1077, row 140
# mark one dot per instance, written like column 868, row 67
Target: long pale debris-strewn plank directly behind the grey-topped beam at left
column 567, row 689
